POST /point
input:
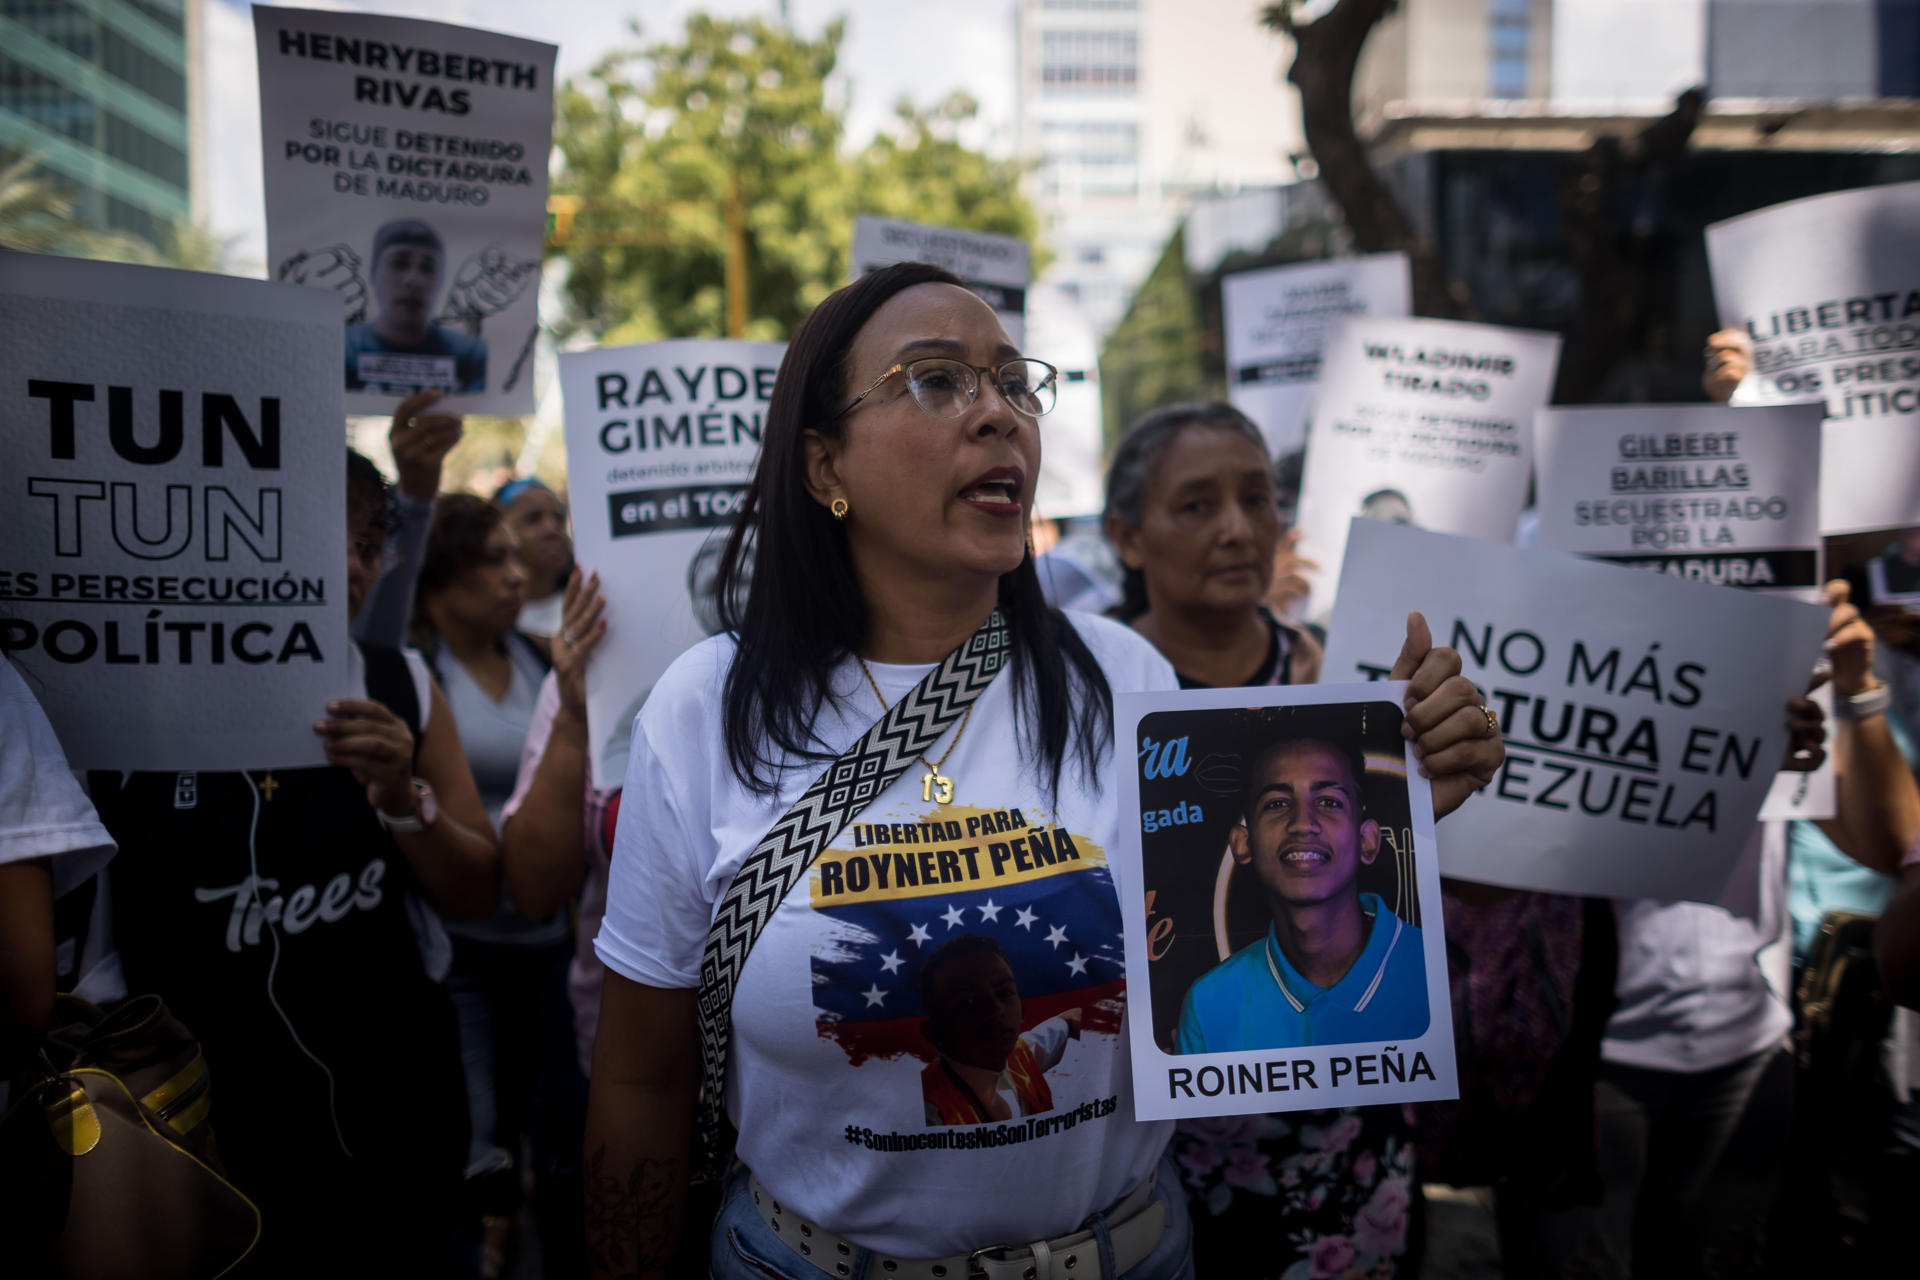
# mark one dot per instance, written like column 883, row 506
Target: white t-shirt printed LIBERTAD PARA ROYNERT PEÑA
column 832, row 1076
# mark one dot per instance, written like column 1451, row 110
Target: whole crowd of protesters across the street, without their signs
column 406, row 968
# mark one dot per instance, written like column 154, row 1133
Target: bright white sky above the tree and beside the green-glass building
column 972, row 49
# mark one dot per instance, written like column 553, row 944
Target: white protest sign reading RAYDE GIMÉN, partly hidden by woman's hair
column 661, row 442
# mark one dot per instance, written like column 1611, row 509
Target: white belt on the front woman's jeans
column 1136, row 1225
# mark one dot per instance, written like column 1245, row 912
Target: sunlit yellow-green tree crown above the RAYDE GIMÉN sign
column 656, row 141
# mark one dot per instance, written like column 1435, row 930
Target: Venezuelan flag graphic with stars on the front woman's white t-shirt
column 978, row 941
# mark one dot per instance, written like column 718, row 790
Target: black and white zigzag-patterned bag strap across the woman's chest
column 771, row 872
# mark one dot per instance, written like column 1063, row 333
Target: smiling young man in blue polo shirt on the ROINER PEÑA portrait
column 1337, row 966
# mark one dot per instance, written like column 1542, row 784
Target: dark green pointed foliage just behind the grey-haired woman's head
column 1155, row 354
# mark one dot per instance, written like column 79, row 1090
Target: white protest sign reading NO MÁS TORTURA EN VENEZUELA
column 1644, row 715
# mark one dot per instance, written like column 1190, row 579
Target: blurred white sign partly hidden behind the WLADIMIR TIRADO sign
column 1278, row 323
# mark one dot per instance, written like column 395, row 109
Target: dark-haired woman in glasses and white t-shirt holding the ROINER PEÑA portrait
column 924, row 1056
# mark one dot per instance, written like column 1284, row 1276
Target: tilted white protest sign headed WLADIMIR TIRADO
column 1424, row 423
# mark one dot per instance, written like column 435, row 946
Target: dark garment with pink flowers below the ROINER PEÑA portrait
column 1301, row 1197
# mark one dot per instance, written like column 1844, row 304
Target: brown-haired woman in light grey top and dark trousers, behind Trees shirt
column 510, row 972
